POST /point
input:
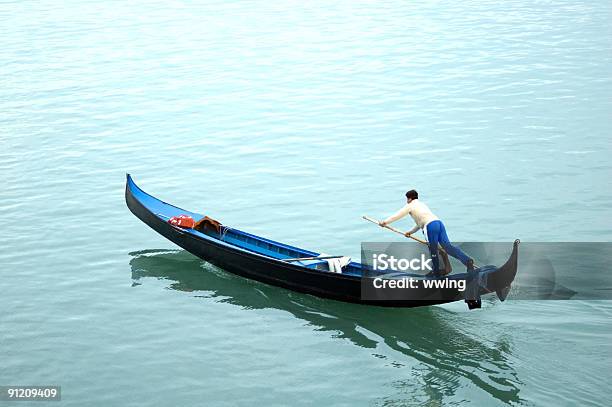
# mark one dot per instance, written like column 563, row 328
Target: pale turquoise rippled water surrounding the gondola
column 291, row 120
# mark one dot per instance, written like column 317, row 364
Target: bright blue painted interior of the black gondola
column 239, row 239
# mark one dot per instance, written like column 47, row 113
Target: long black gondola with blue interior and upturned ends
column 274, row 263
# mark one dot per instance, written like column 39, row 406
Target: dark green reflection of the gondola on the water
column 429, row 335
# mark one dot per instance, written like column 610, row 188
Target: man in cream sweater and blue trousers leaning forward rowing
column 435, row 231
